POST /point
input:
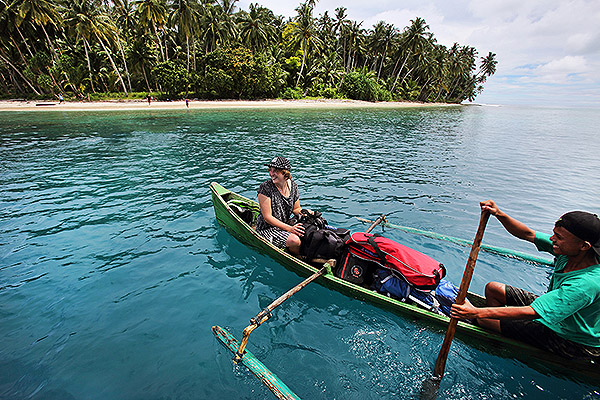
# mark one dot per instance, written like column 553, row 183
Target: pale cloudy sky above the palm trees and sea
column 548, row 51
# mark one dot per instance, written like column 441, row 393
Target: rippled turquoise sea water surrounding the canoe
column 113, row 267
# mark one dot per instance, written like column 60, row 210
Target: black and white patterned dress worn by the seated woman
column 281, row 208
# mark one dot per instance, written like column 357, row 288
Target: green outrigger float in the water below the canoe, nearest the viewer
column 254, row 365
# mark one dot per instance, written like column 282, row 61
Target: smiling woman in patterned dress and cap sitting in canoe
column 278, row 199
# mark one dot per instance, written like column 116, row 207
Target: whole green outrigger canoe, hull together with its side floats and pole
column 227, row 206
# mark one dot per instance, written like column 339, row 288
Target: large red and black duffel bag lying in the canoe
column 365, row 249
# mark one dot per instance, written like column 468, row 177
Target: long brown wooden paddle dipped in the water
column 430, row 387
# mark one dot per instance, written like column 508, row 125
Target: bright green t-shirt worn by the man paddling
column 571, row 307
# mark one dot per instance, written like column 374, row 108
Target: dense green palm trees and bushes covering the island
column 208, row 49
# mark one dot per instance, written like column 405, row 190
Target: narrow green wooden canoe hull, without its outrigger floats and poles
column 486, row 340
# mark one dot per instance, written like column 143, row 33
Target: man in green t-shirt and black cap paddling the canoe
column 566, row 319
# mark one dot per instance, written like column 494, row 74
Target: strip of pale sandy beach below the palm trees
column 132, row 105
